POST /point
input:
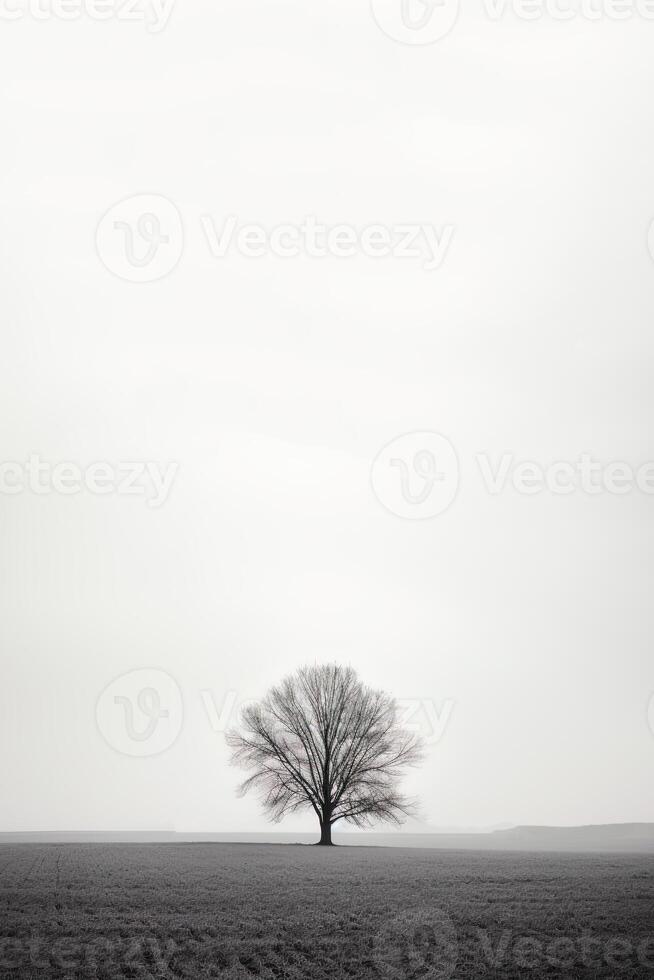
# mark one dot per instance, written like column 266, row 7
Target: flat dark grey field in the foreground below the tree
column 171, row 911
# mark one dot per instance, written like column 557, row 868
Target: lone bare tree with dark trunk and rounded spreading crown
column 323, row 740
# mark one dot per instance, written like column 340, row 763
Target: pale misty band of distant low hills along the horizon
column 625, row 838
